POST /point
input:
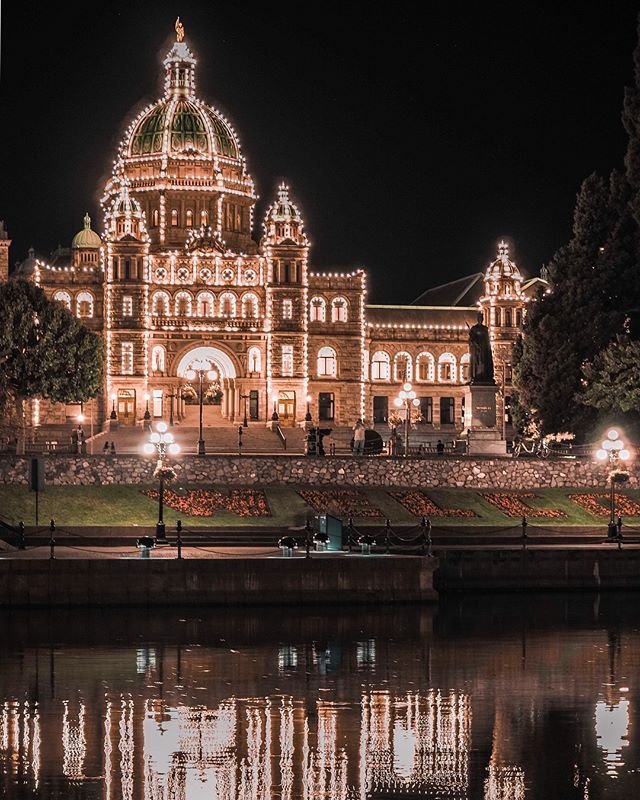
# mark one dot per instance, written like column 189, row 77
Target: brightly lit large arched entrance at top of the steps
column 218, row 385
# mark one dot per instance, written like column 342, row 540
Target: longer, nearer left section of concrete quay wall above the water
column 318, row 580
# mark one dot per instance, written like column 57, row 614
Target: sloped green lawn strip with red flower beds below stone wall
column 286, row 506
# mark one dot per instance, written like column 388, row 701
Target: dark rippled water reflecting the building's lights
column 499, row 698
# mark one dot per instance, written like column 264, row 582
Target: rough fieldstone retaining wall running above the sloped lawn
column 462, row 472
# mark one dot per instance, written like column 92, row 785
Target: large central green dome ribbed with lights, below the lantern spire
column 181, row 124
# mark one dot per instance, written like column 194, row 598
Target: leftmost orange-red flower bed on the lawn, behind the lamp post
column 205, row 502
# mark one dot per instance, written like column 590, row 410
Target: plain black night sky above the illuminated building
column 410, row 146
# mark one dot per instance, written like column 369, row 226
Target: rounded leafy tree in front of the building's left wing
column 45, row 352
